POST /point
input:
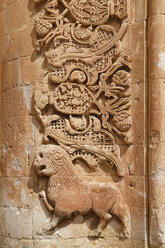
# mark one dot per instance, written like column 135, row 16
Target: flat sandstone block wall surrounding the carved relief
column 22, row 214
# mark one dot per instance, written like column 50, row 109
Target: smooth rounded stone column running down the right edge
column 157, row 123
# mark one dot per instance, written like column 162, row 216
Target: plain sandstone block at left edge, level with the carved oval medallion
column 16, row 129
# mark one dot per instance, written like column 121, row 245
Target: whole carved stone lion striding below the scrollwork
column 66, row 193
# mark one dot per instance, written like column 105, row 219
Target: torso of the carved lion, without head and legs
column 80, row 197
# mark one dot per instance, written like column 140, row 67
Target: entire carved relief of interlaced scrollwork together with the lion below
column 83, row 103
